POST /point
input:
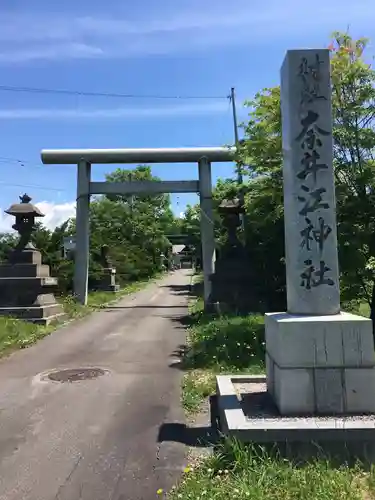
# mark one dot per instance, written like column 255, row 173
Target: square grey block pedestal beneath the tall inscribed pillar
column 320, row 365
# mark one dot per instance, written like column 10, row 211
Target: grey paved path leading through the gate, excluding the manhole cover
column 97, row 439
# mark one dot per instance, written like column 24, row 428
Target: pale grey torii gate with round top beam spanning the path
column 84, row 158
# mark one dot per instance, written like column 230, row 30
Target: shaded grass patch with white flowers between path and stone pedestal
column 226, row 344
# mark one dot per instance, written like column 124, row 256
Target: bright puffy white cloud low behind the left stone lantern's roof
column 55, row 214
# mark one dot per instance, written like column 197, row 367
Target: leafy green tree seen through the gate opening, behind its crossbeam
column 134, row 227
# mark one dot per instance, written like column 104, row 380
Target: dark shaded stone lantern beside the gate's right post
column 231, row 282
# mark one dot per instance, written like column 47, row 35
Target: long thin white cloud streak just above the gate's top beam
column 197, row 108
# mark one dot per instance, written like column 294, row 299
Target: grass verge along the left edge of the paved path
column 17, row 334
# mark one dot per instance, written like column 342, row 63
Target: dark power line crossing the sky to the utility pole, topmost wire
column 6, row 88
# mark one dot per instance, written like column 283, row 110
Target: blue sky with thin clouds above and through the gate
column 195, row 48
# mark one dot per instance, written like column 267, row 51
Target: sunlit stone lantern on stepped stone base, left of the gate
column 25, row 284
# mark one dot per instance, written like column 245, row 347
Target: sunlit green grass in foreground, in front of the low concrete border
column 242, row 472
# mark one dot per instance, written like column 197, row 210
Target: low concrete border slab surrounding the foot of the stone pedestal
column 258, row 420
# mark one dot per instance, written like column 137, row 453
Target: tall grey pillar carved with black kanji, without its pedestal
column 309, row 194
